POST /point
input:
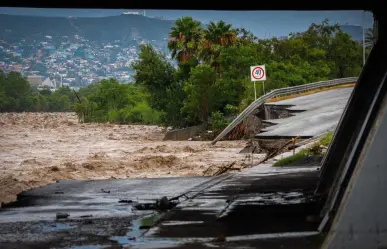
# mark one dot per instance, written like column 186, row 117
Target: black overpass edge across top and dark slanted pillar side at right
column 355, row 130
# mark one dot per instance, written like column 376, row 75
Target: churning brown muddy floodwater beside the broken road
column 37, row 149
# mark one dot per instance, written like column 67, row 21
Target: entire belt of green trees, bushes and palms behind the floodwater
column 212, row 76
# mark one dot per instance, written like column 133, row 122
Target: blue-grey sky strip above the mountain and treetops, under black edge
column 261, row 23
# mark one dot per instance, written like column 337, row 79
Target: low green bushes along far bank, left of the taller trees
column 104, row 101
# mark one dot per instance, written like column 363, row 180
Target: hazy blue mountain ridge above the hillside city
column 105, row 29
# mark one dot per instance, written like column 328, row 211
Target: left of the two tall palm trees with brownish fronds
column 184, row 38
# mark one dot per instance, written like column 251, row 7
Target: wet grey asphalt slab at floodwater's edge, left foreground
column 100, row 198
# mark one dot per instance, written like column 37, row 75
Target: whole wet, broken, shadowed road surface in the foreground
column 258, row 205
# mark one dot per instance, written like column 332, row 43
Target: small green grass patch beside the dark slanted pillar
column 314, row 150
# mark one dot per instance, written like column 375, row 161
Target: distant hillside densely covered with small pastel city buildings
column 73, row 61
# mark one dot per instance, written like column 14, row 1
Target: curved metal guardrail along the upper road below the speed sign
column 278, row 92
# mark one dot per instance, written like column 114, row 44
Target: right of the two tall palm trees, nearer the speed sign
column 216, row 37
